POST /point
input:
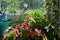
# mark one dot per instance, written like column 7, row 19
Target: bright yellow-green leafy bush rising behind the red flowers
column 40, row 18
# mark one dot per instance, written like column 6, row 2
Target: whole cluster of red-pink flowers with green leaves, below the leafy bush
column 25, row 32
